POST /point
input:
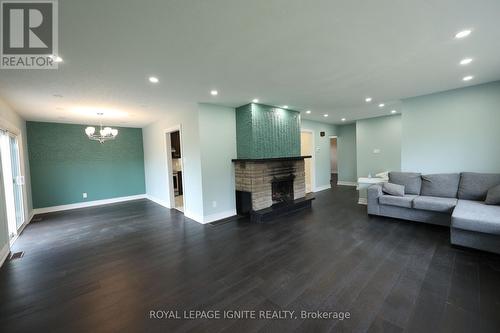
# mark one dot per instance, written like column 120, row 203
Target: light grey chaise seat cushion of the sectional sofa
column 476, row 216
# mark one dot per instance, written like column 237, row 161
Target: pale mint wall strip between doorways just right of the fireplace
column 322, row 167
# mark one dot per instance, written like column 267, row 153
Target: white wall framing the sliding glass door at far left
column 11, row 121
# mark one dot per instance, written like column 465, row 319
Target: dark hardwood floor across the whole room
column 104, row 269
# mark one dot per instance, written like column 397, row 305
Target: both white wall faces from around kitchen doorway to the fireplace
column 208, row 138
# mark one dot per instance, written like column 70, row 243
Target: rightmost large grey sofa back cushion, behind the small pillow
column 475, row 186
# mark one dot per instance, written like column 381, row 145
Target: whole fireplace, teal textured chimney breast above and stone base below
column 269, row 171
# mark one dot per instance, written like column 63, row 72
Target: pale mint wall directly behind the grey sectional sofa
column 453, row 131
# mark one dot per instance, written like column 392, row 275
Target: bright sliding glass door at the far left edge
column 13, row 182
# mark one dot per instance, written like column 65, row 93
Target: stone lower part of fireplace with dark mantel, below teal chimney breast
column 255, row 179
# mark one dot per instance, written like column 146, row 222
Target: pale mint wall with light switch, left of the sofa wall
column 384, row 135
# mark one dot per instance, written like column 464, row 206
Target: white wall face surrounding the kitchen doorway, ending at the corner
column 158, row 179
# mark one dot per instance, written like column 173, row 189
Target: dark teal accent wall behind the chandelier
column 64, row 163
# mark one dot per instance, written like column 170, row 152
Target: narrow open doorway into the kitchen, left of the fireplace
column 175, row 168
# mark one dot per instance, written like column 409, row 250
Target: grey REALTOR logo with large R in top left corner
column 29, row 34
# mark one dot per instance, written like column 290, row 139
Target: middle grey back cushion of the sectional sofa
column 440, row 185
